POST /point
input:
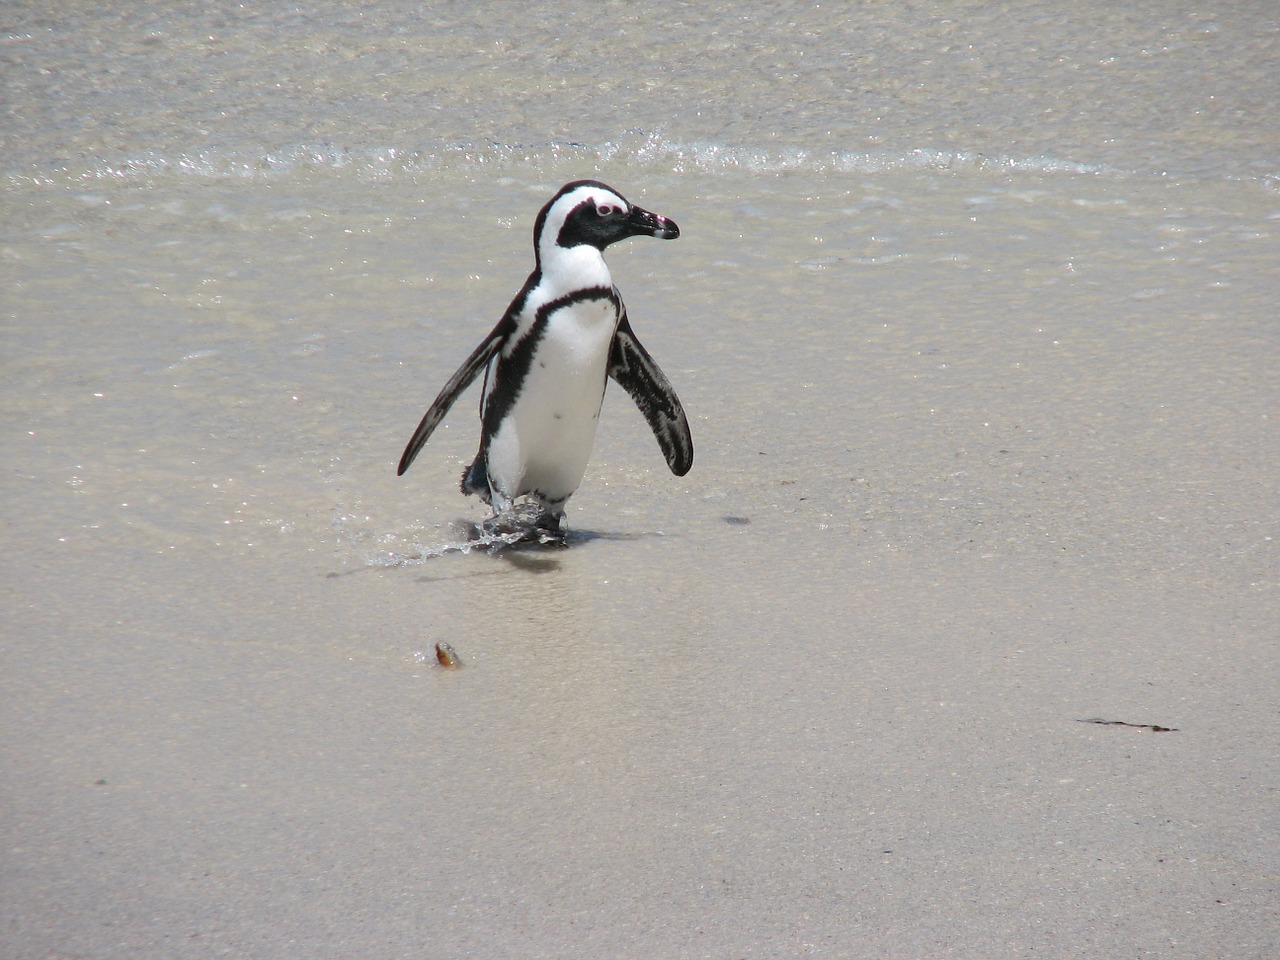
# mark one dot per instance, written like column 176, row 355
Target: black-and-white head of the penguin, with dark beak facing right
column 588, row 213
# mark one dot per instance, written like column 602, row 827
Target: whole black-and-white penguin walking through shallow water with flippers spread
column 548, row 359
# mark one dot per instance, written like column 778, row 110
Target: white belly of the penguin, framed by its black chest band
column 547, row 442
